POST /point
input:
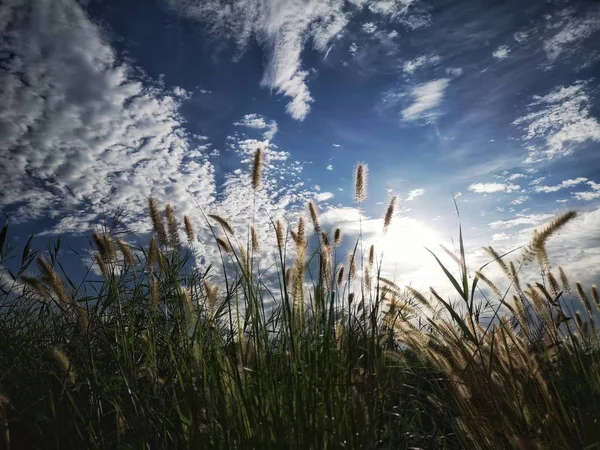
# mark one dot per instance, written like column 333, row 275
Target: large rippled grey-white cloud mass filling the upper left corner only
column 78, row 128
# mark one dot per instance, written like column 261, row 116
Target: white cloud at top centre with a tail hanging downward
column 282, row 28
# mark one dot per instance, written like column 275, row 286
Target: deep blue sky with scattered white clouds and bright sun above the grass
column 492, row 104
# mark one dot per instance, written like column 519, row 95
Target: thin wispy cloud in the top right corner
column 575, row 31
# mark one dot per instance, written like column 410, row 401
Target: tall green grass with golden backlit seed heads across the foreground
column 156, row 354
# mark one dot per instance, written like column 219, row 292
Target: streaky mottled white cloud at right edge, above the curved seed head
column 562, row 120
